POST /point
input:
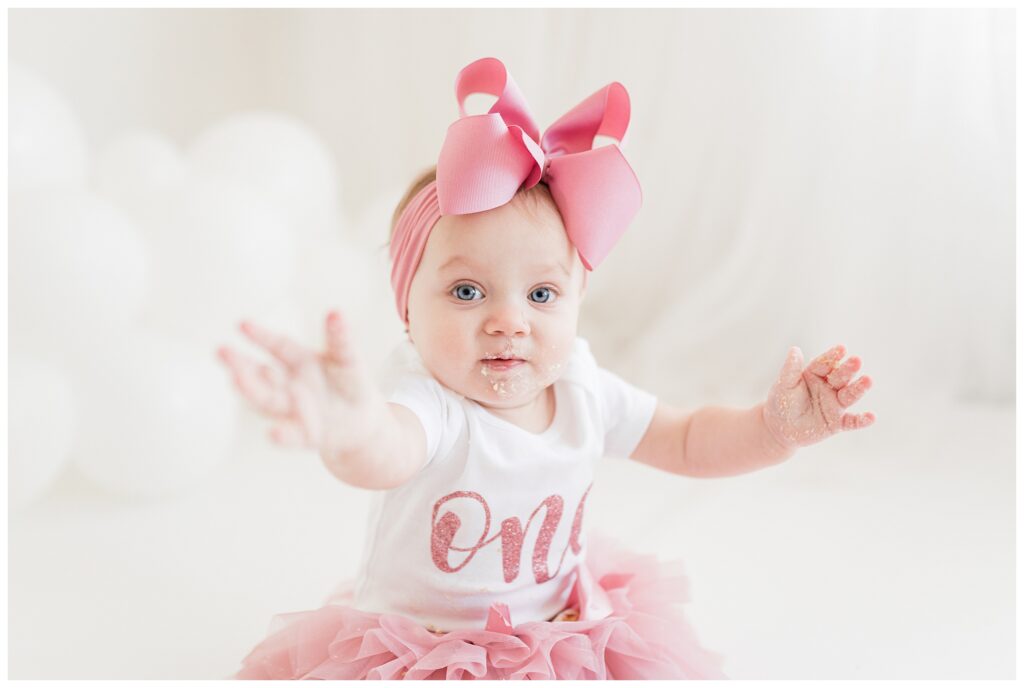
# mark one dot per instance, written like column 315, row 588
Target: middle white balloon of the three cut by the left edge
column 78, row 271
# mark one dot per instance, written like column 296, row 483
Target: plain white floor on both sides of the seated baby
column 880, row 554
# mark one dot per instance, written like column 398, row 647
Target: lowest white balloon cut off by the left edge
column 41, row 419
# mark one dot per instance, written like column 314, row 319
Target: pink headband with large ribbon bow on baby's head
column 487, row 158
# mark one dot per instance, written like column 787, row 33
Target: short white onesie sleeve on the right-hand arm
column 627, row 413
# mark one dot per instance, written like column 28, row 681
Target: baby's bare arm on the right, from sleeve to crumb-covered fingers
column 804, row 407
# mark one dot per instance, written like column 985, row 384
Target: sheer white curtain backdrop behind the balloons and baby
column 810, row 177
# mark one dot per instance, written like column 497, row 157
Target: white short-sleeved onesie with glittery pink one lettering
column 496, row 515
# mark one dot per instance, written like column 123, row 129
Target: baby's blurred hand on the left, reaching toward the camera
column 325, row 401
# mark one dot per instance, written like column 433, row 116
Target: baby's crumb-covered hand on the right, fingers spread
column 804, row 407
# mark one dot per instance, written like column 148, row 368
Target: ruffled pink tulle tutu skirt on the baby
column 645, row 637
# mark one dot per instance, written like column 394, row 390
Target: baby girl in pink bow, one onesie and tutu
column 477, row 563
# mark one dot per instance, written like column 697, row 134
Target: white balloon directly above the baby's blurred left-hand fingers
column 222, row 252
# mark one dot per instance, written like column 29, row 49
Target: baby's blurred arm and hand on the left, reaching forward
column 328, row 402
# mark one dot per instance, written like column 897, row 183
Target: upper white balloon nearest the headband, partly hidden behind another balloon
column 279, row 157
